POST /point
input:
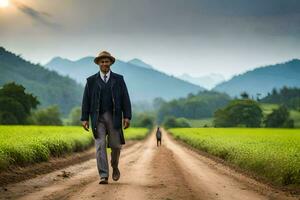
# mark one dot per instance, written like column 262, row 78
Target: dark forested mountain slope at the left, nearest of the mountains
column 50, row 87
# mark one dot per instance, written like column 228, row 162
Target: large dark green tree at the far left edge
column 15, row 104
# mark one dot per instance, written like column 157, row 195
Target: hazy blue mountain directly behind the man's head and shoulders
column 144, row 83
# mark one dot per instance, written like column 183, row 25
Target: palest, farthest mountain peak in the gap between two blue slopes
column 208, row 81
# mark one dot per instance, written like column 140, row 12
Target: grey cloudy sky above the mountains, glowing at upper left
column 197, row 37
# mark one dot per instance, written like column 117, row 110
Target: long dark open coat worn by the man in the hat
column 91, row 101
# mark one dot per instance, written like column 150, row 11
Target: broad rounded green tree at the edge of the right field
column 241, row 112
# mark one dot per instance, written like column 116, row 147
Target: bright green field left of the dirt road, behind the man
column 22, row 145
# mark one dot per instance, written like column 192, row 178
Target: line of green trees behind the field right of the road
column 226, row 112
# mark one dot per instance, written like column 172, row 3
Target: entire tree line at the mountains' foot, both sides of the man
column 20, row 107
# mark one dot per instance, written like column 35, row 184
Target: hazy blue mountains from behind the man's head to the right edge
column 142, row 77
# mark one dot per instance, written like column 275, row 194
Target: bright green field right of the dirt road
column 270, row 153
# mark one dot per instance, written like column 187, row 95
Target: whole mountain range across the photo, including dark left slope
column 61, row 80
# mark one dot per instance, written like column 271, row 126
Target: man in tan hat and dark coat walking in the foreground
column 106, row 100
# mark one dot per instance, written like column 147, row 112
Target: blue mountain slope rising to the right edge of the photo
column 263, row 79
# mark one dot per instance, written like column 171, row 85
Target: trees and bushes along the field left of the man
column 19, row 107
